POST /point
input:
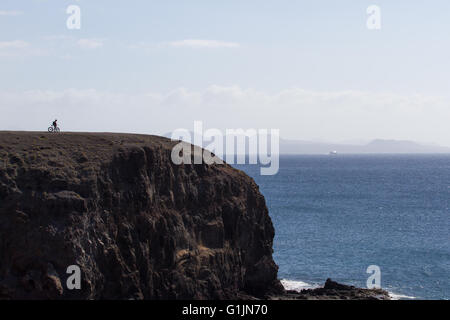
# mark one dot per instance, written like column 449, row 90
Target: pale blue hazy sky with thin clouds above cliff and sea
column 323, row 48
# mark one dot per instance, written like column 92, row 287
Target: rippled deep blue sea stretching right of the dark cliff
column 336, row 215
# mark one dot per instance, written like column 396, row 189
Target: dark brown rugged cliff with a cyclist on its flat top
column 137, row 225
